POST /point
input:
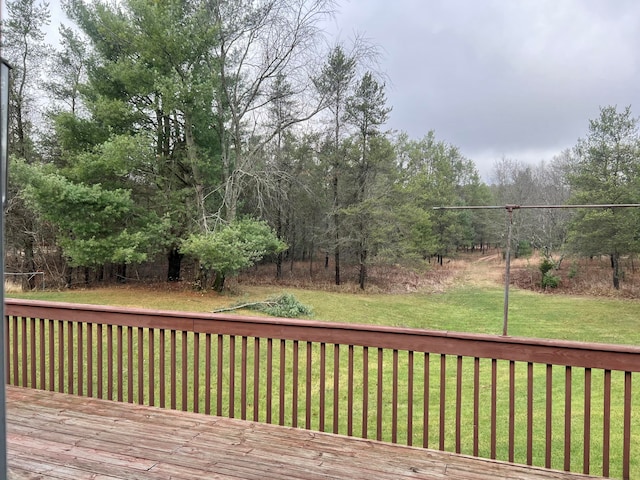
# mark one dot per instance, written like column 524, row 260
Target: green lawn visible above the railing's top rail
column 464, row 309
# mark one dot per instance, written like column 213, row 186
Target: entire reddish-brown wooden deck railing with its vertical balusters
column 556, row 404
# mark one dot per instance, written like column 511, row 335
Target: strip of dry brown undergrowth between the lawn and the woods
column 577, row 276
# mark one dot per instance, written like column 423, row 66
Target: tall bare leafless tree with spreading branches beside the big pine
column 258, row 44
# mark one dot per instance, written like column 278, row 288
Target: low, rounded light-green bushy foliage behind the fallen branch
column 233, row 247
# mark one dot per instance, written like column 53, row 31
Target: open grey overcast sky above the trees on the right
column 512, row 78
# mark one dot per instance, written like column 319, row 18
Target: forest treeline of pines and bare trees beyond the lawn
column 221, row 133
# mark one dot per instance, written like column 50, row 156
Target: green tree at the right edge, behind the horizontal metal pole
column 605, row 170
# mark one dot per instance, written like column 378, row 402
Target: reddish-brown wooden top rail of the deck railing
column 536, row 350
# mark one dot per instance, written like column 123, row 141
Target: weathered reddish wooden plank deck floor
column 57, row 436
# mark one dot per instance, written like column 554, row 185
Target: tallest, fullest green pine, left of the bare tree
column 145, row 80
